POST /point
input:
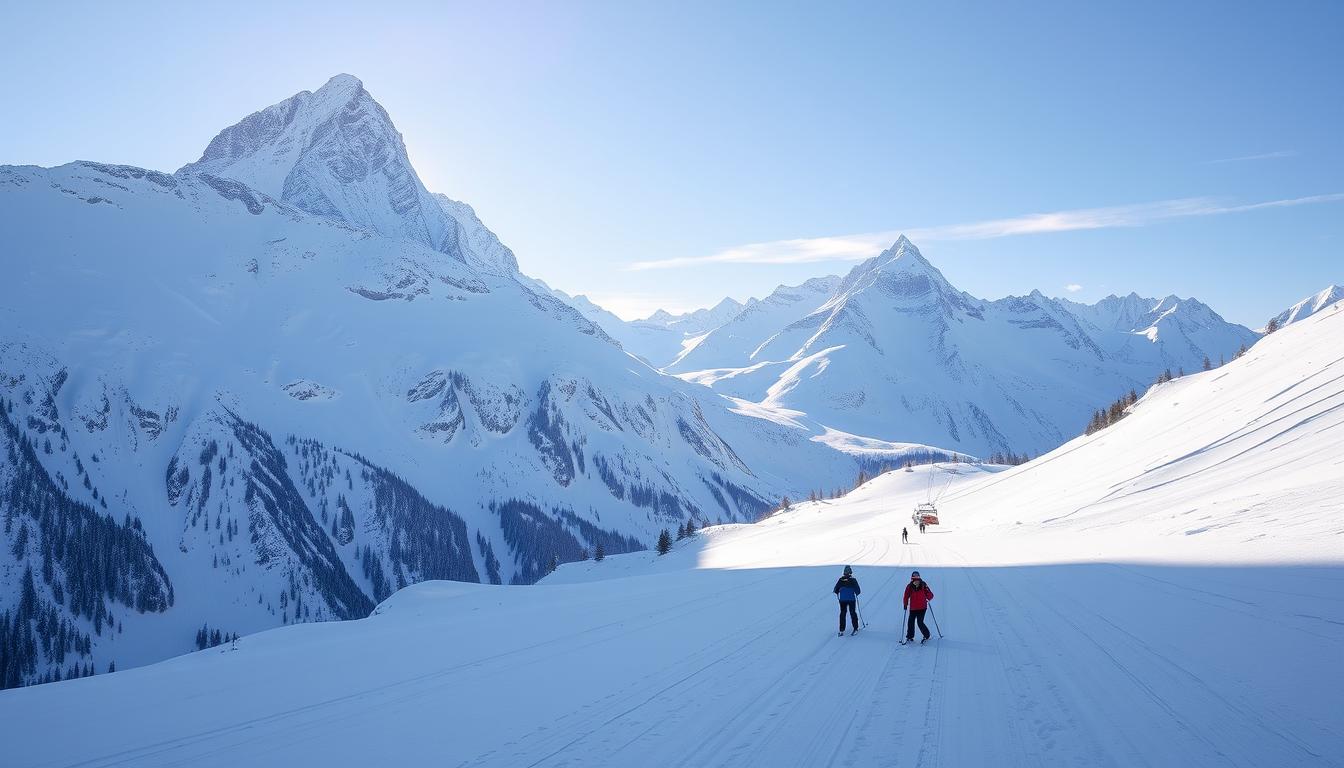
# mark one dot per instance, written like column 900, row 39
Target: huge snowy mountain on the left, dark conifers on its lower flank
column 300, row 408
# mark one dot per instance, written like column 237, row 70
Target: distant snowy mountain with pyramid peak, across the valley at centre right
column 894, row 352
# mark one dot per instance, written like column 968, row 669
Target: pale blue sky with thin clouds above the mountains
column 670, row 154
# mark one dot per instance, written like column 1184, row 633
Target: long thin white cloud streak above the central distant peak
column 858, row 247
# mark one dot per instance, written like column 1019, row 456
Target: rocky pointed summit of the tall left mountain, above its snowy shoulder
column 337, row 154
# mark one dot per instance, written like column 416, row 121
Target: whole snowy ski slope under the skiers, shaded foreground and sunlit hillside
column 1165, row 592
